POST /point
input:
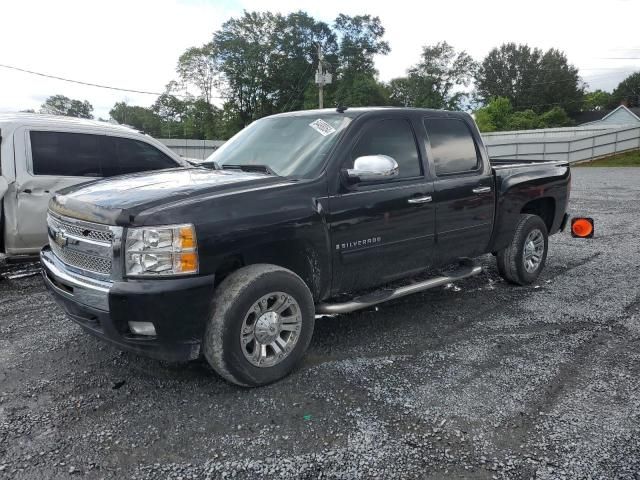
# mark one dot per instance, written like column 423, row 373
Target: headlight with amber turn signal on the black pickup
column 167, row 250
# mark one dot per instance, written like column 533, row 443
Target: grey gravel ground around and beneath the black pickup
column 478, row 380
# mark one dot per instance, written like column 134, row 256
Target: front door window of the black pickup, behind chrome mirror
column 394, row 138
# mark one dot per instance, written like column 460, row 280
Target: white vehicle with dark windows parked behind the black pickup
column 40, row 154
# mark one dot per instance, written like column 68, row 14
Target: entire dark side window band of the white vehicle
column 85, row 155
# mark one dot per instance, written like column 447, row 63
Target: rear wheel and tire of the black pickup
column 512, row 261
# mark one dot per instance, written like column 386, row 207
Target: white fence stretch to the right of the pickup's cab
column 581, row 143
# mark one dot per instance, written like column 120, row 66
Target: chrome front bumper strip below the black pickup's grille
column 83, row 290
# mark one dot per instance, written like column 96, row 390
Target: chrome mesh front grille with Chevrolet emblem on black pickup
column 84, row 246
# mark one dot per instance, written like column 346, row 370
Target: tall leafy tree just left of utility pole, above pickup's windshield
column 267, row 61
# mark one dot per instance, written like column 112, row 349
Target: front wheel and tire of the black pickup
column 248, row 301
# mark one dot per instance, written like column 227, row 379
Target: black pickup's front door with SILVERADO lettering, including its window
column 377, row 235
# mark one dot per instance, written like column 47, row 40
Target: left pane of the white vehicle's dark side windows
column 66, row 154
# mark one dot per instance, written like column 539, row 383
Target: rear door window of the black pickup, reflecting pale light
column 452, row 146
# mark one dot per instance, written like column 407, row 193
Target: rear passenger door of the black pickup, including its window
column 463, row 197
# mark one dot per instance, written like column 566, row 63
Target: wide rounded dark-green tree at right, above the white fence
column 530, row 79
